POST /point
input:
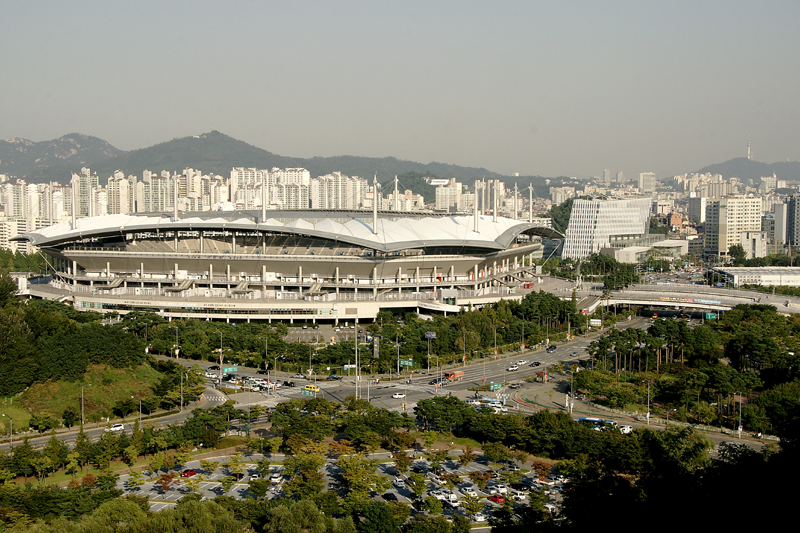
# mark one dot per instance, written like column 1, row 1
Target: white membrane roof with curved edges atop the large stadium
column 393, row 232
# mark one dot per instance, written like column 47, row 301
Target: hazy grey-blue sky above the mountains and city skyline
column 549, row 88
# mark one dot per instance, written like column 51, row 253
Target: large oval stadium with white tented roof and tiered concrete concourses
column 315, row 266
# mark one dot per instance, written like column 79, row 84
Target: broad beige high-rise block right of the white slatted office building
column 727, row 219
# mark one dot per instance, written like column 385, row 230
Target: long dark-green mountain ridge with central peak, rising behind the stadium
column 217, row 153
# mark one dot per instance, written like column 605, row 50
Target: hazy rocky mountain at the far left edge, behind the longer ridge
column 21, row 157
